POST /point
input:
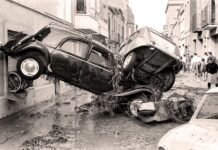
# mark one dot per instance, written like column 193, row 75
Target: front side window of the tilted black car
column 74, row 47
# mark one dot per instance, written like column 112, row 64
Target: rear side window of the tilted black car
column 99, row 58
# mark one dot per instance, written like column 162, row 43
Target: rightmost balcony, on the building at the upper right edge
column 208, row 18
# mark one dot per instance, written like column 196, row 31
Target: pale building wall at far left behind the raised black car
column 29, row 17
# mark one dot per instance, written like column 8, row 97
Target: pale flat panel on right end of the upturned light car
column 160, row 41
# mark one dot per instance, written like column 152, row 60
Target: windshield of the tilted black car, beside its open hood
column 54, row 37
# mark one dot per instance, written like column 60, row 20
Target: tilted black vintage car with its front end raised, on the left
column 68, row 55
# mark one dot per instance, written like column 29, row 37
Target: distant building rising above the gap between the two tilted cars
column 121, row 23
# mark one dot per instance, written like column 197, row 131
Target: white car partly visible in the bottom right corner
column 201, row 133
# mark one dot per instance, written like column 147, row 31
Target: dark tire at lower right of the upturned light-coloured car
column 169, row 80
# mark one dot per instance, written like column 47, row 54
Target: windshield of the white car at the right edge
column 209, row 110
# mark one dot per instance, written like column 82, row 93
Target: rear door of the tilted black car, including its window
column 97, row 72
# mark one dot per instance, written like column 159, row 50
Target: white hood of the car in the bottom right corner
column 198, row 135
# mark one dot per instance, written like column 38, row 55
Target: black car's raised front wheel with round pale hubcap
column 30, row 66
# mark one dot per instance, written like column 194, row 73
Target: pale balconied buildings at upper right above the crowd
column 197, row 25
